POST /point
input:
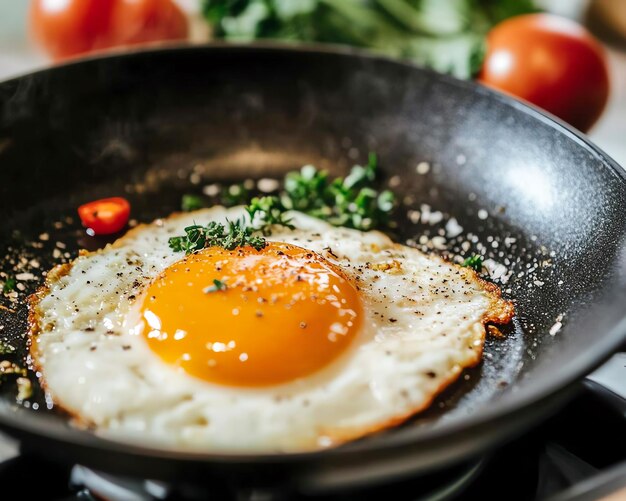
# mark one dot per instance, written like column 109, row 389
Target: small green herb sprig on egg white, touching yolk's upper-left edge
column 197, row 237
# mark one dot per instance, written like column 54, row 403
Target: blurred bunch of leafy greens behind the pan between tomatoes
column 447, row 36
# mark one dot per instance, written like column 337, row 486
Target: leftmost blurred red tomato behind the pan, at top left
column 68, row 27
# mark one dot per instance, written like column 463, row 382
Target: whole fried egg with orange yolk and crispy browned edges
column 323, row 336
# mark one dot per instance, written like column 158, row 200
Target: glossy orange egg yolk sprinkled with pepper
column 251, row 318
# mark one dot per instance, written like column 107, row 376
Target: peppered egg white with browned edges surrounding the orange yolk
column 424, row 322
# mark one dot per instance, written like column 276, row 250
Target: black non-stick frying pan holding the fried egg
column 140, row 124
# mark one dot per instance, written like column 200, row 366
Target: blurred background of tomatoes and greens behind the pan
column 554, row 66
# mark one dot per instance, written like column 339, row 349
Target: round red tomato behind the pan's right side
column 551, row 62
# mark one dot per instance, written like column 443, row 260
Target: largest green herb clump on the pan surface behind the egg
column 349, row 201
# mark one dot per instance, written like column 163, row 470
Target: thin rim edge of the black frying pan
column 503, row 407
